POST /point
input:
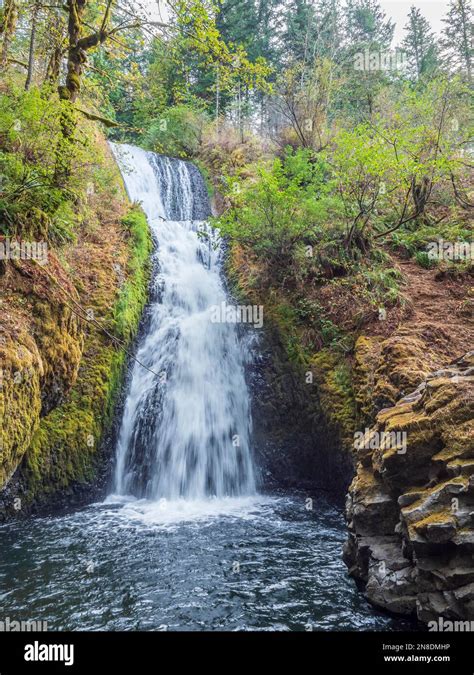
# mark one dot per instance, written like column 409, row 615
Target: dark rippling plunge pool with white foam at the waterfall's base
column 263, row 563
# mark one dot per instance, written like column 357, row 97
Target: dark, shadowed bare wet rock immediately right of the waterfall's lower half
column 293, row 443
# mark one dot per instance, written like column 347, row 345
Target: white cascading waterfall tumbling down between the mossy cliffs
column 186, row 425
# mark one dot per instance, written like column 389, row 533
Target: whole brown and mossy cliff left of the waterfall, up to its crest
column 64, row 331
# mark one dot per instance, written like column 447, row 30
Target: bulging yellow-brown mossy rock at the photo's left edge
column 39, row 360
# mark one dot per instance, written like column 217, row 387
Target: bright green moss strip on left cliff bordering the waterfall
column 64, row 450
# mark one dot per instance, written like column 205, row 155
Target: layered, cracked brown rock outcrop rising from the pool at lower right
column 410, row 508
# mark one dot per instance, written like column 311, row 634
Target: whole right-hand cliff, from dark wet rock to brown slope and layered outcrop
column 392, row 410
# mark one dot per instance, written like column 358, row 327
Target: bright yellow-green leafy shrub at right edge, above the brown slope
column 389, row 170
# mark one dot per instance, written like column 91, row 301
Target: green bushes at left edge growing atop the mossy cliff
column 31, row 203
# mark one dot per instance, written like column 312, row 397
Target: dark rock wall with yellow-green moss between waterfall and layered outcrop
column 303, row 404
